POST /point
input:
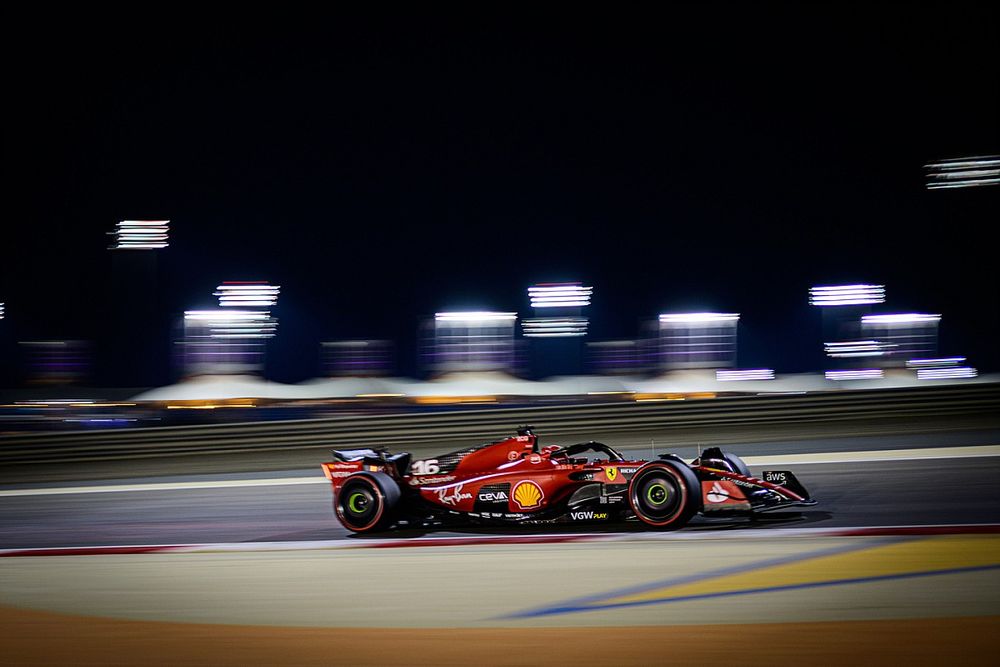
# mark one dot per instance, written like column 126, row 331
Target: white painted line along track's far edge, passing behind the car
column 784, row 459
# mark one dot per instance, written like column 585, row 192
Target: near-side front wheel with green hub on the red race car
column 663, row 496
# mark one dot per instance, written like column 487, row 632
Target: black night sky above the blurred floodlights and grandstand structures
column 381, row 169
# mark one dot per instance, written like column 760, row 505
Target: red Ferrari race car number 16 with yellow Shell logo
column 513, row 481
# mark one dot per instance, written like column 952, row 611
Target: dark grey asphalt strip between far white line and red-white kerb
column 897, row 492
